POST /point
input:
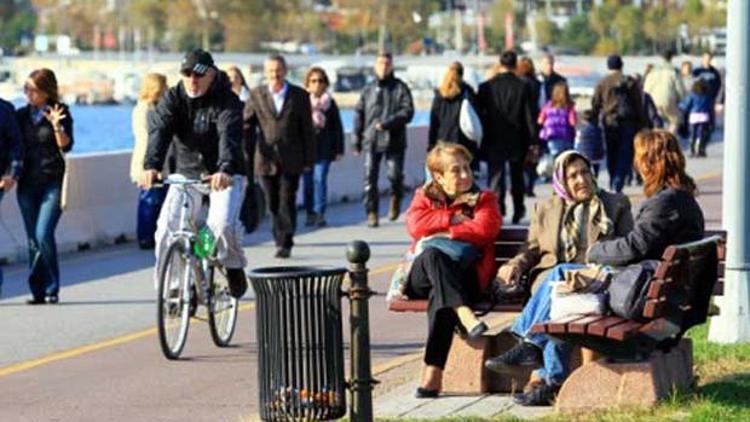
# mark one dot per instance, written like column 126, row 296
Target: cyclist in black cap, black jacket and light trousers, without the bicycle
column 202, row 118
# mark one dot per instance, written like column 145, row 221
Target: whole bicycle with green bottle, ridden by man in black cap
column 190, row 275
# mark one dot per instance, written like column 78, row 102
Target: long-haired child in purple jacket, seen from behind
column 558, row 121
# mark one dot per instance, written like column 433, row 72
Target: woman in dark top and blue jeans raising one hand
column 47, row 134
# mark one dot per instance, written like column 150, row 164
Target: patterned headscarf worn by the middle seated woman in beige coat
column 576, row 214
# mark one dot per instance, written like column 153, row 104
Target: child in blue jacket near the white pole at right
column 698, row 107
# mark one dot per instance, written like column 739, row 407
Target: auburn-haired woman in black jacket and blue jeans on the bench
column 670, row 215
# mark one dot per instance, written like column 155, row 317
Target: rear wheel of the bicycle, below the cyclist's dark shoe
column 222, row 307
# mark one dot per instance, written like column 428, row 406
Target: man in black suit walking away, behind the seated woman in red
column 506, row 112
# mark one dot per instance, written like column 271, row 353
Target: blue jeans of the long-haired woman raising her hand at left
column 40, row 209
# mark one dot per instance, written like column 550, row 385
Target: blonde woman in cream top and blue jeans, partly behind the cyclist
column 149, row 200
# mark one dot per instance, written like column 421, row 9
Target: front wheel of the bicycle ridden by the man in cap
column 173, row 311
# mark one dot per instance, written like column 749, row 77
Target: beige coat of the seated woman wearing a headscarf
column 542, row 251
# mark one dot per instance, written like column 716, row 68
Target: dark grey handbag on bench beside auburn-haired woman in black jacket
column 629, row 289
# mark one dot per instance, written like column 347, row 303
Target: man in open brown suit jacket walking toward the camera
column 285, row 148
